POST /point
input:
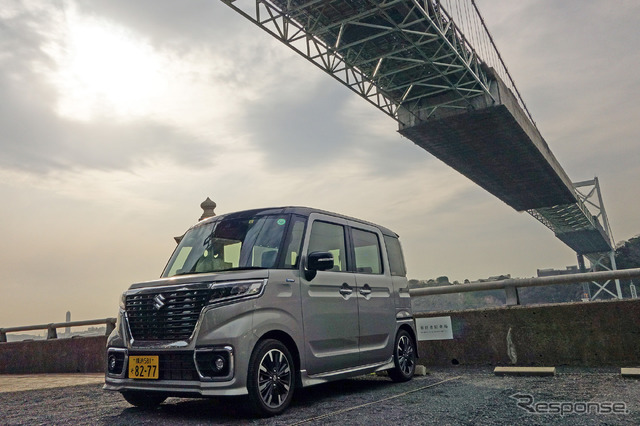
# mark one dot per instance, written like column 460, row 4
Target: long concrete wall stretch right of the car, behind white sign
column 605, row 333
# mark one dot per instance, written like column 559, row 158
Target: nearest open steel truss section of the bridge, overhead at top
column 393, row 53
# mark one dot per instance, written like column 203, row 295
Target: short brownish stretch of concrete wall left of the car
column 74, row 355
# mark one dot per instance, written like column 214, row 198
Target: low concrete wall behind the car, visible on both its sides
column 603, row 333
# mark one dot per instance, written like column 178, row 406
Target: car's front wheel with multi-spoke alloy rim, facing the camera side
column 271, row 378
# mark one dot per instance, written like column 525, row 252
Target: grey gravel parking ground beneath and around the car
column 454, row 396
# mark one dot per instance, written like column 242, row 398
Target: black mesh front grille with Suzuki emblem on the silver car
column 167, row 315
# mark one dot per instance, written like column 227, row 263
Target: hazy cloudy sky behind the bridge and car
column 118, row 118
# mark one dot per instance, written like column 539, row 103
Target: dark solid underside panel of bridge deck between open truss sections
column 491, row 148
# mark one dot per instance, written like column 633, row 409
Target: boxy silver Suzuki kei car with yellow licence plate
column 261, row 302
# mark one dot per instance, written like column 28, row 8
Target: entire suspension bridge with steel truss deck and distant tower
column 433, row 66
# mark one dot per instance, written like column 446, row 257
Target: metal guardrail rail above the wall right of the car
column 510, row 286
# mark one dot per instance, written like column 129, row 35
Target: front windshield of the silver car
column 230, row 243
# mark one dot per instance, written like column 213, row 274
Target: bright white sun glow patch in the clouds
column 105, row 70
